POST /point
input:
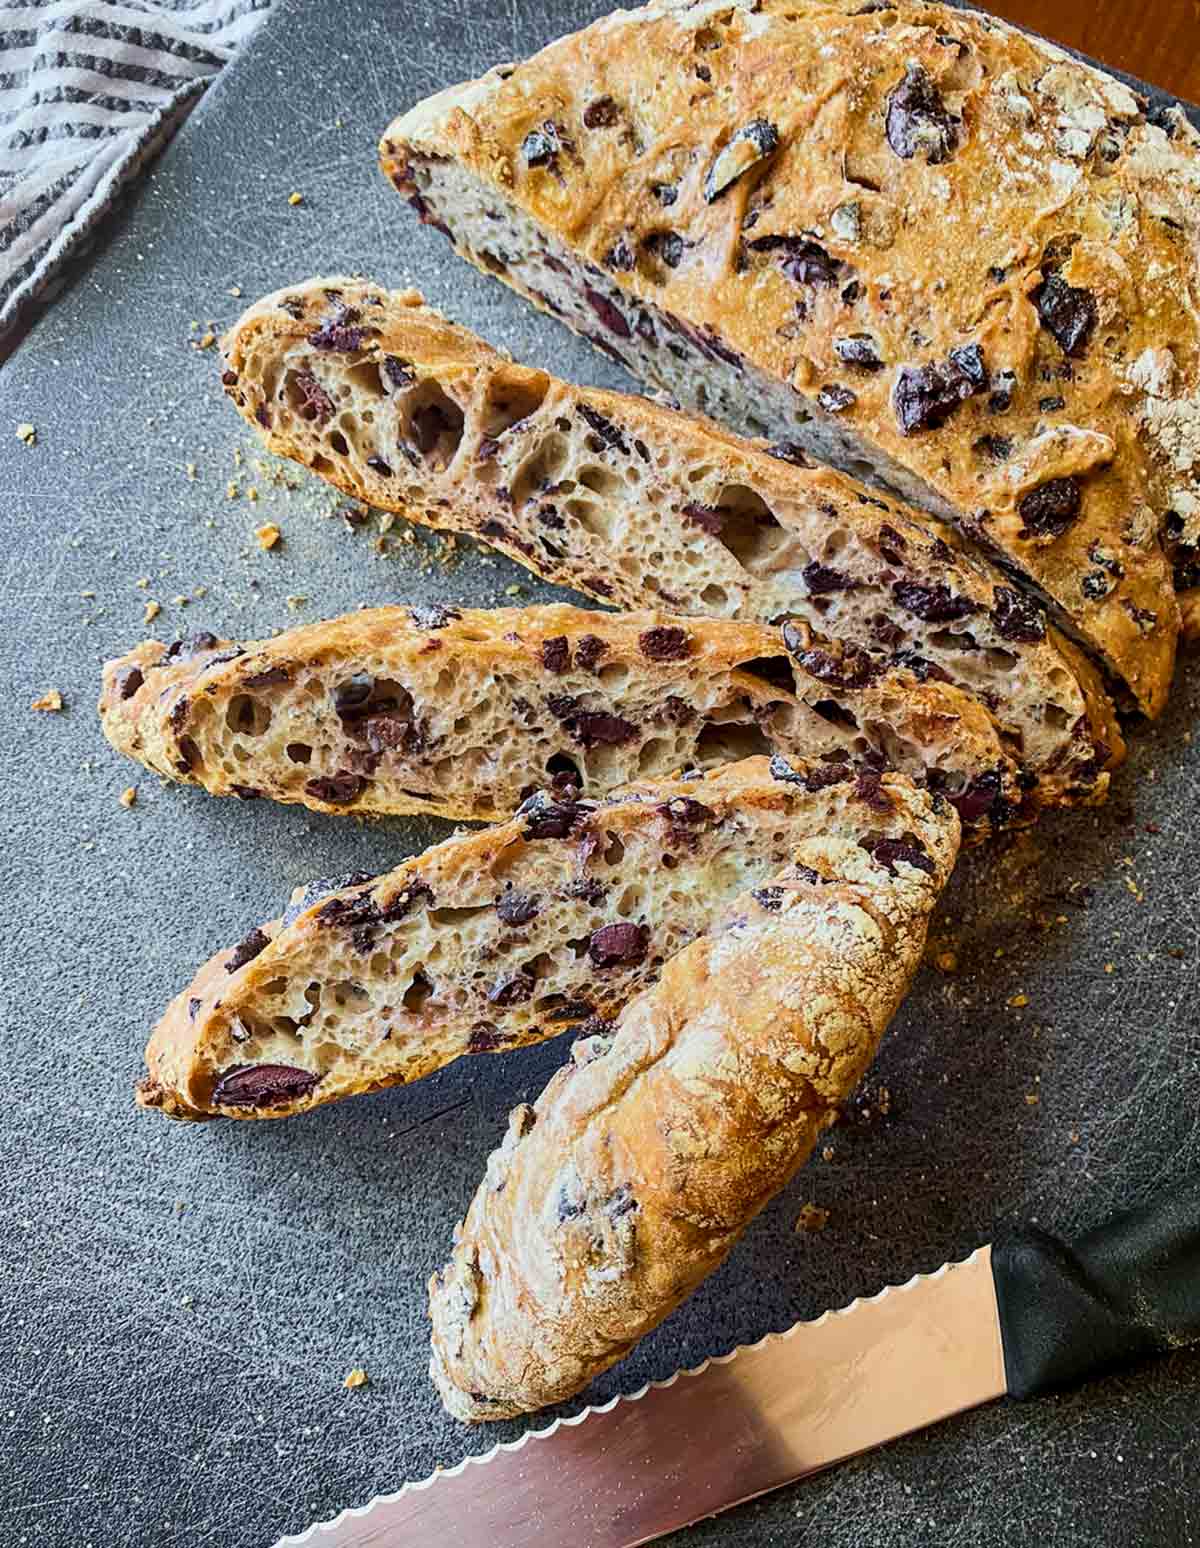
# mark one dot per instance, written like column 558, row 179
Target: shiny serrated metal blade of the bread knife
column 677, row 1451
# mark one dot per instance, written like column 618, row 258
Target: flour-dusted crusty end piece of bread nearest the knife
column 651, row 1151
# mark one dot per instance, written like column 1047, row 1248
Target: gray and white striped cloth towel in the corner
column 89, row 92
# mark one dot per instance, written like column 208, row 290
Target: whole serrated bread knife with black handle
column 1024, row 1317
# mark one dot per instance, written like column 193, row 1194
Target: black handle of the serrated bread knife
column 1123, row 1292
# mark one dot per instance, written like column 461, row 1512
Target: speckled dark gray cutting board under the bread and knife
column 180, row 1304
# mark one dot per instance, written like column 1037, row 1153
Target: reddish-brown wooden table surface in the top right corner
column 1159, row 41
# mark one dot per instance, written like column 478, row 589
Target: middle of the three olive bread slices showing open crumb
column 465, row 713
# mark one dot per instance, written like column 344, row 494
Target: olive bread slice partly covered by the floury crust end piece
column 490, row 940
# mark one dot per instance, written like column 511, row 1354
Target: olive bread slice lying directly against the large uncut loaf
column 637, row 505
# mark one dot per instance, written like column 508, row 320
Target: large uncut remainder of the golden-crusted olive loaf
column 927, row 247
